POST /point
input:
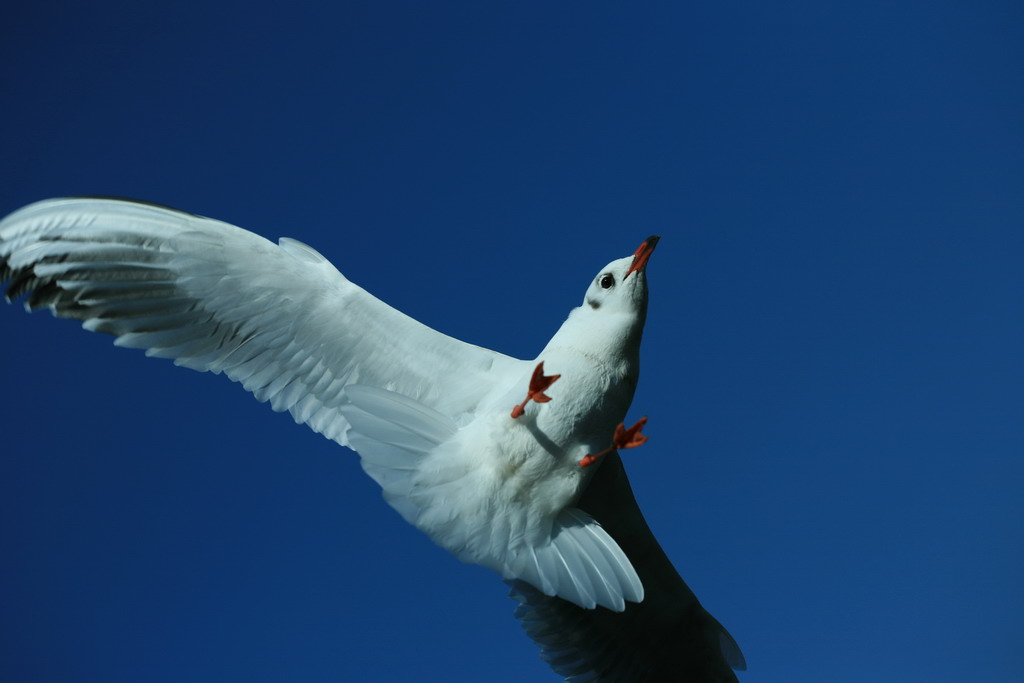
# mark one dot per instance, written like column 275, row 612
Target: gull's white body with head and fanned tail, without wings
column 499, row 491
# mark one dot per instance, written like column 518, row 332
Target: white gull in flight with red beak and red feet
column 505, row 463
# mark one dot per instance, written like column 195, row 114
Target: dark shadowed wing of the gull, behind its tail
column 668, row 637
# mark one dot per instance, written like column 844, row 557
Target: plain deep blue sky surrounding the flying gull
column 832, row 363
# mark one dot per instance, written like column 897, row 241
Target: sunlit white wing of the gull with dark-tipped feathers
column 277, row 318
